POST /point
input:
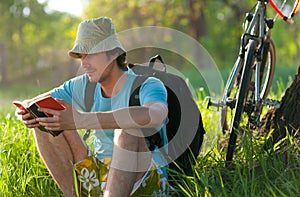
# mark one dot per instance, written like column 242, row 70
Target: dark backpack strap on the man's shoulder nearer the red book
column 89, row 101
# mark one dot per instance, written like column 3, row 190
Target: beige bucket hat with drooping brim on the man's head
column 94, row 36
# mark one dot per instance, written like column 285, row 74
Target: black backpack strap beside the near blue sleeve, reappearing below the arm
column 134, row 100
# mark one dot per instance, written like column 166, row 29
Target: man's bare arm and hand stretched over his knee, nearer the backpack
column 150, row 115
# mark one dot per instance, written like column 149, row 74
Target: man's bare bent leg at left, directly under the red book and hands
column 59, row 154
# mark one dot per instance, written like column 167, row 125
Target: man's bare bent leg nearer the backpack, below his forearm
column 131, row 159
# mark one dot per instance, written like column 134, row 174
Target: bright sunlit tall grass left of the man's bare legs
column 22, row 172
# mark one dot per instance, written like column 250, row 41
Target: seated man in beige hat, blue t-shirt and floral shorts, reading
column 121, row 163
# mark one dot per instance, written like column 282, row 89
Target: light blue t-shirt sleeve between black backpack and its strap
column 153, row 90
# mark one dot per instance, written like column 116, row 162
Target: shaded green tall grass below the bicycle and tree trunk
column 255, row 172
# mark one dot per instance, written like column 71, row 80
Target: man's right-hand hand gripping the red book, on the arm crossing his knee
column 61, row 119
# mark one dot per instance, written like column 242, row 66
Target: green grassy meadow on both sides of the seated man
column 256, row 172
